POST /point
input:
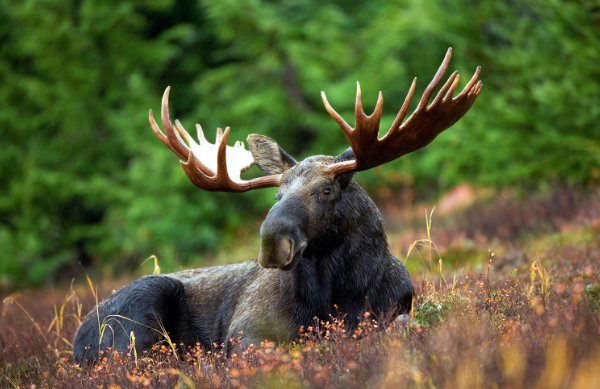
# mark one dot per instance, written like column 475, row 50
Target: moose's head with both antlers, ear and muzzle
column 310, row 191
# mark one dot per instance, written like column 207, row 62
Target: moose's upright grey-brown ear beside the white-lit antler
column 268, row 155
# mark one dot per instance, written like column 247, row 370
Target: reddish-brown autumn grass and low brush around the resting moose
column 521, row 311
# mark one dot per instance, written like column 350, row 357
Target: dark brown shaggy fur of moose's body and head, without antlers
column 340, row 258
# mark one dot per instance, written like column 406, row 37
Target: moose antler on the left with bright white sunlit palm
column 212, row 167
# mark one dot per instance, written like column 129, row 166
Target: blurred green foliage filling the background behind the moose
column 84, row 180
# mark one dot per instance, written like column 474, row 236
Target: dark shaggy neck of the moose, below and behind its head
column 344, row 263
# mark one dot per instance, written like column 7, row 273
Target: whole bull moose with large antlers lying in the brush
column 323, row 246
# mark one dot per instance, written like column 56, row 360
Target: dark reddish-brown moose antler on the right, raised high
column 425, row 123
